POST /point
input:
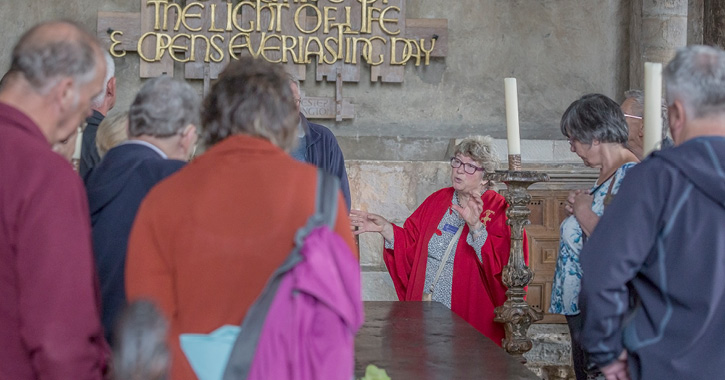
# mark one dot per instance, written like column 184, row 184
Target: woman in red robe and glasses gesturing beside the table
column 470, row 281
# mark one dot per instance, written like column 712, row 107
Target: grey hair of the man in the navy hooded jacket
column 696, row 77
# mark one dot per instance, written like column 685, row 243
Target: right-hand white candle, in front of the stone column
column 652, row 106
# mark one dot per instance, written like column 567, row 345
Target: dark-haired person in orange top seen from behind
column 207, row 238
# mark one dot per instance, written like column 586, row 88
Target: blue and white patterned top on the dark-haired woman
column 567, row 278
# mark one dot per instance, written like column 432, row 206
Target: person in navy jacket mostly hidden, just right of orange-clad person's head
column 318, row 145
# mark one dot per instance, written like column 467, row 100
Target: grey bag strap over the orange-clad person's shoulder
column 245, row 346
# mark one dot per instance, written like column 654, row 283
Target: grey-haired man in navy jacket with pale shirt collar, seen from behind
column 162, row 135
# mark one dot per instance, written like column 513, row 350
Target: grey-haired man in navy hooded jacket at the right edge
column 653, row 285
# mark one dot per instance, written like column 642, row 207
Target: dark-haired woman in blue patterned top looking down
column 597, row 132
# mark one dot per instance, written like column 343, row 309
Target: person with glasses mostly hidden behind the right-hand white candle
column 633, row 109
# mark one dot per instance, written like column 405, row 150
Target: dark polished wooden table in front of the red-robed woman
column 426, row 340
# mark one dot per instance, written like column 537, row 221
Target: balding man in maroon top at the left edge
column 49, row 314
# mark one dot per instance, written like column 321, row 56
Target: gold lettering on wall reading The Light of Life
column 255, row 27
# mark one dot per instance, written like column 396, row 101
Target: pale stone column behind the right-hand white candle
column 658, row 28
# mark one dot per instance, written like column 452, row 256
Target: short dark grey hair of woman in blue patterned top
column 595, row 117
